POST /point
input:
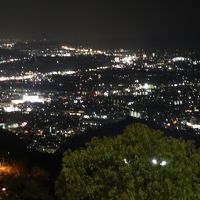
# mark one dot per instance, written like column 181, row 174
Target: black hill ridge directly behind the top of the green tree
column 111, row 130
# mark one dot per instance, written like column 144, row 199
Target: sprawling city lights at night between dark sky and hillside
column 49, row 94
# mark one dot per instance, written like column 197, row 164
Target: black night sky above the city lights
column 105, row 23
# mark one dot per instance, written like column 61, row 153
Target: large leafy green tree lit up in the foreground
column 141, row 163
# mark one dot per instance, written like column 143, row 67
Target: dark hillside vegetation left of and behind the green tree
column 40, row 170
